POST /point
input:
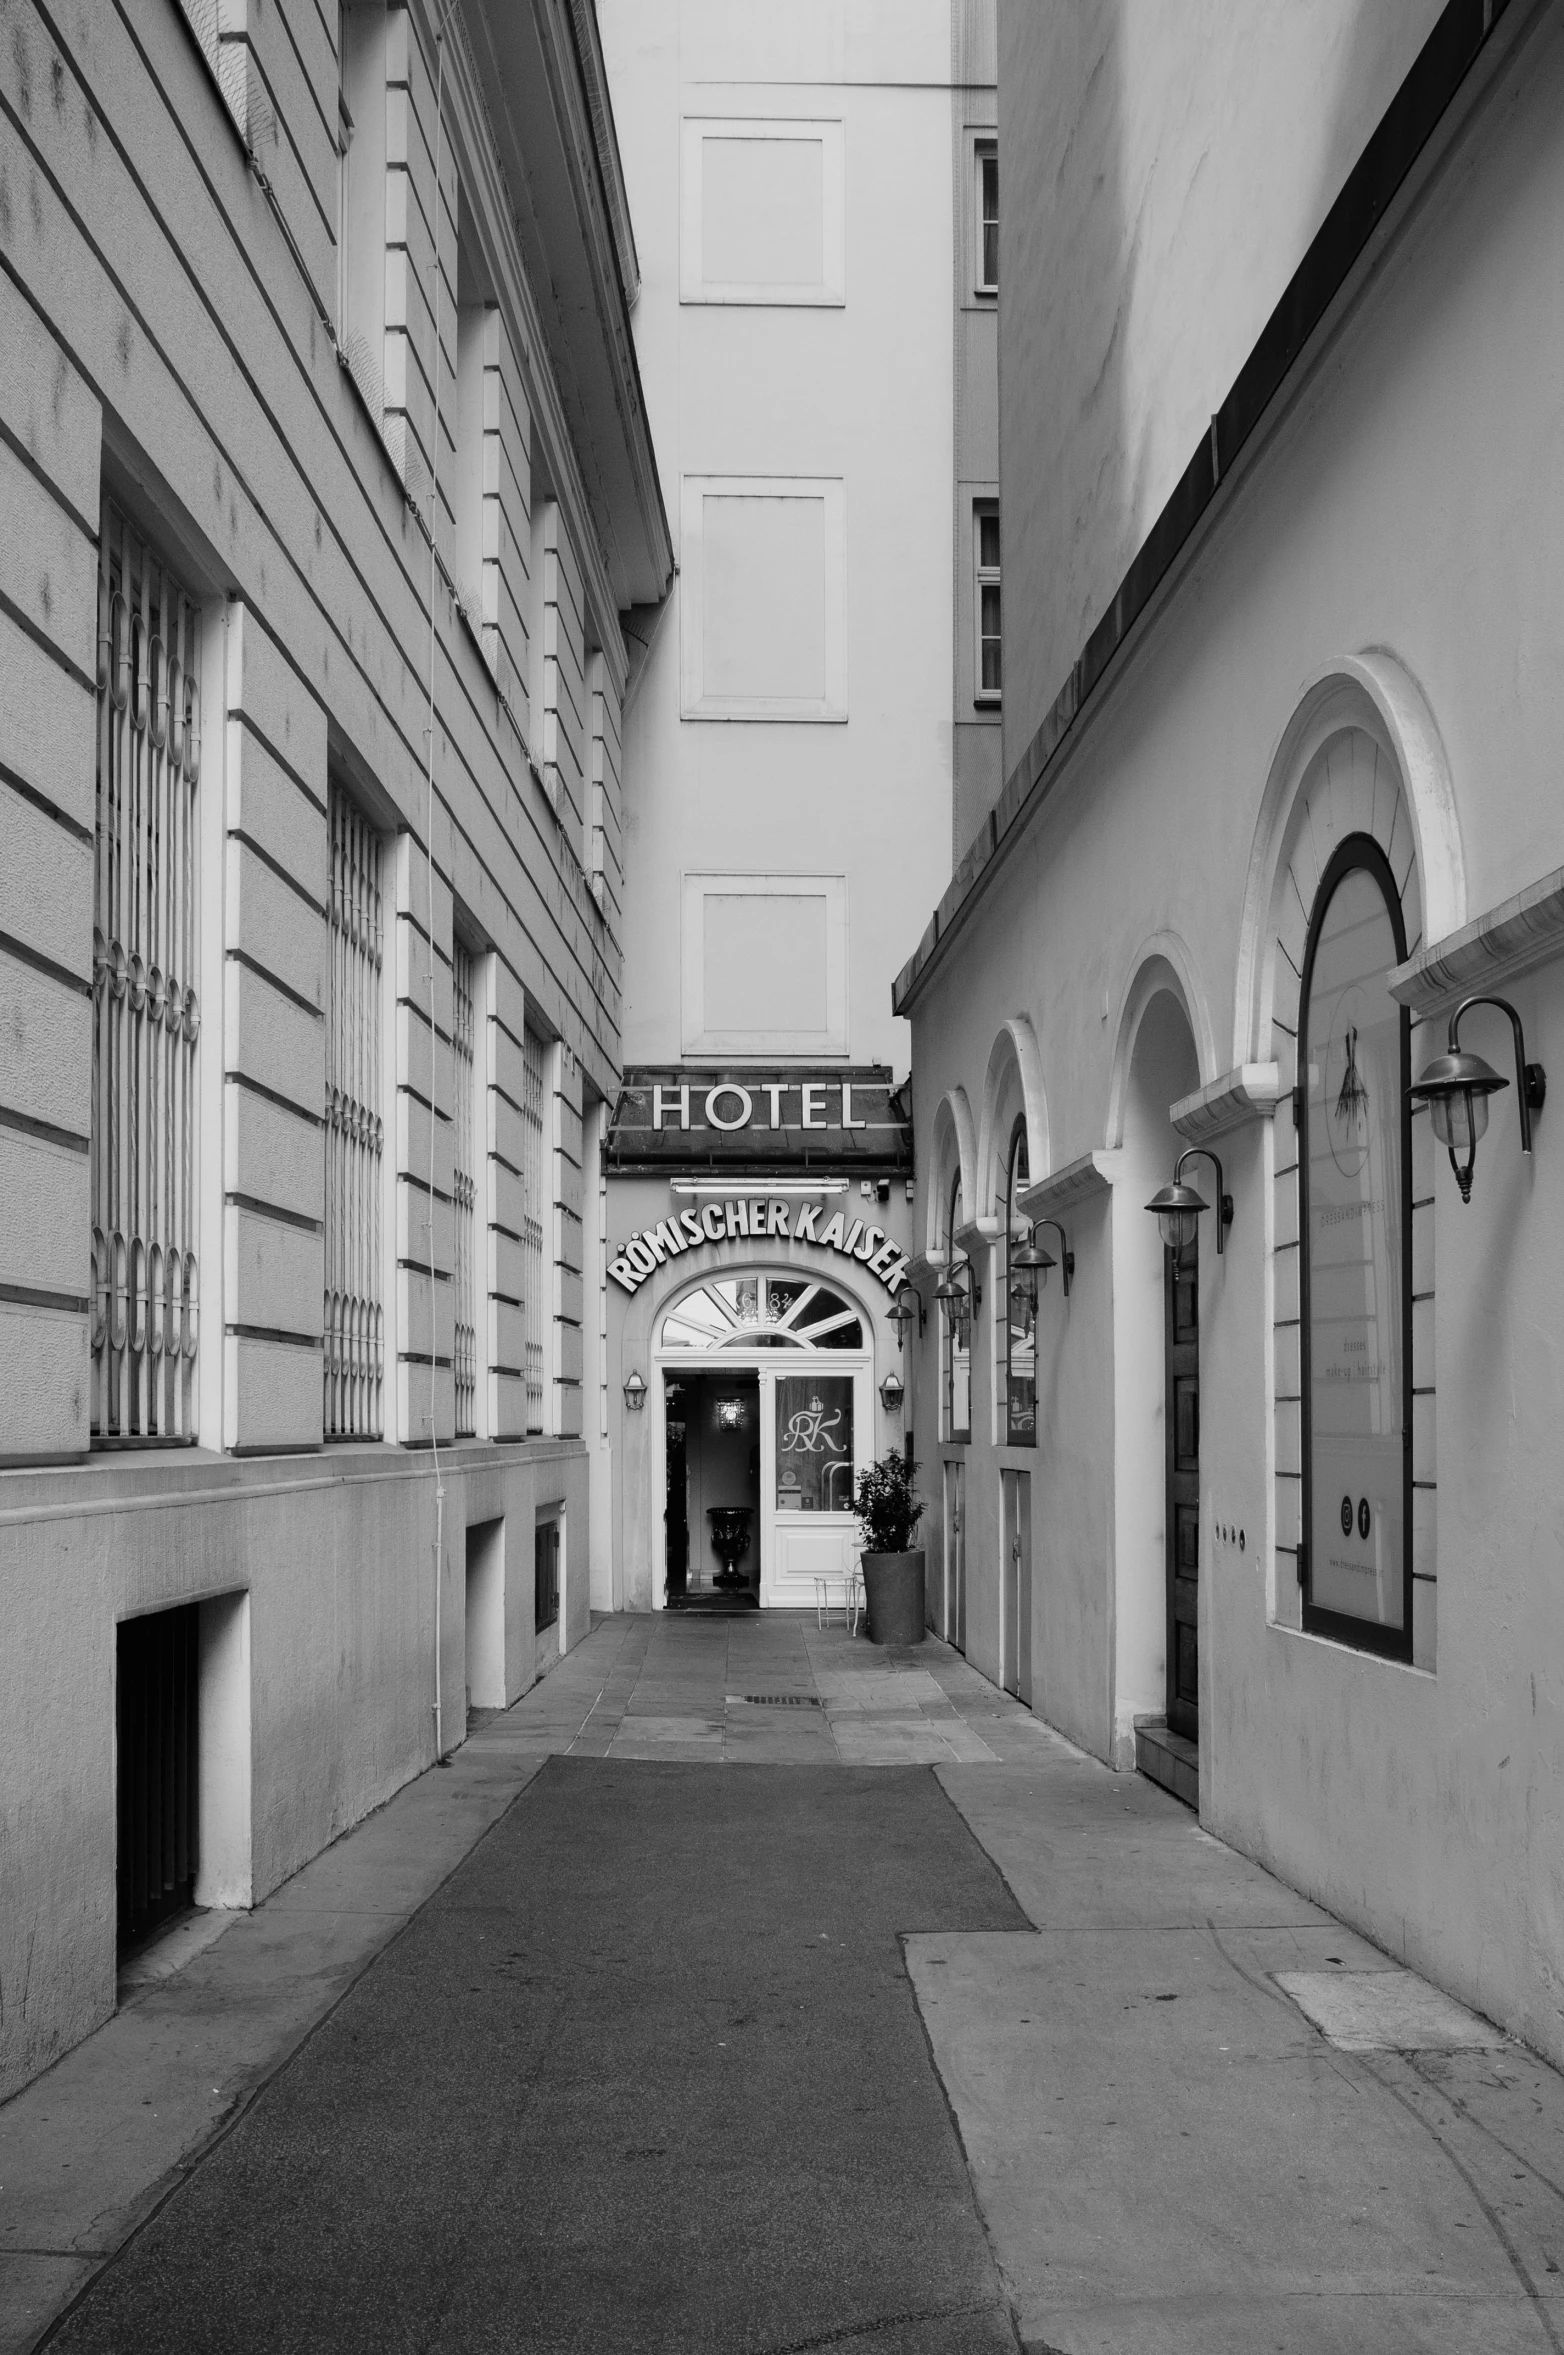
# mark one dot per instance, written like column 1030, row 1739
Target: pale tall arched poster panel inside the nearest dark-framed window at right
column 1356, row 1261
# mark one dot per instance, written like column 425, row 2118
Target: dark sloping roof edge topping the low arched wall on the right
column 1457, row 65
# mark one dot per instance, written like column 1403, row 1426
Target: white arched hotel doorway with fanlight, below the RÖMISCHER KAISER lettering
column 767, row 1407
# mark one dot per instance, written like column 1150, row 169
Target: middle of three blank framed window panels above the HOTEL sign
column 764, row 599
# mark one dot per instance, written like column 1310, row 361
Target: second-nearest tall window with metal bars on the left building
column 354, row 1134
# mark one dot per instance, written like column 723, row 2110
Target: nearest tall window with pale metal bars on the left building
column 145, row 1009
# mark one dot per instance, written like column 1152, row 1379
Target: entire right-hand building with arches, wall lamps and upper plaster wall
column 1271, row 1508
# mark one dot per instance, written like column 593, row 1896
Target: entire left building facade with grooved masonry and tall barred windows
column 326, row 482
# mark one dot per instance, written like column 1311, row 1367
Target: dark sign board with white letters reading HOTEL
column 705, row 1122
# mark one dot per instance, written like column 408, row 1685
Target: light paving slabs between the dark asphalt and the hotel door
column 764, row 1690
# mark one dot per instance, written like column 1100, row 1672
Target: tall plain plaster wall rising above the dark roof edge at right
column 1162, row 175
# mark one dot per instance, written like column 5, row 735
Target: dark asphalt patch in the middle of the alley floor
column 647, row 2074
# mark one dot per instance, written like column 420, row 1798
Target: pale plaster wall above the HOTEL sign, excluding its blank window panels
column 863, row 394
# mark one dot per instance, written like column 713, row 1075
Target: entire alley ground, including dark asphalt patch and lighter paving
column 750, row 1989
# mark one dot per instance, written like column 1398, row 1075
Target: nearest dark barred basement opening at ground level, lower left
column 159, row 1800
